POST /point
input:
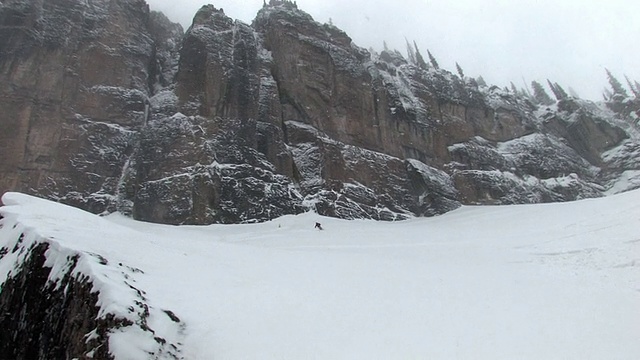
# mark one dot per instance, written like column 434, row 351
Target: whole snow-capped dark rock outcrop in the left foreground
column 67, row 296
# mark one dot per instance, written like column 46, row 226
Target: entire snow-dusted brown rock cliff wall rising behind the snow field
column 108, row 106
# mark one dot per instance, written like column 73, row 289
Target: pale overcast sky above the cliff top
column 567, row 41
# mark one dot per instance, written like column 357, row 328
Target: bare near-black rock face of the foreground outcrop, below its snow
column 43, row 321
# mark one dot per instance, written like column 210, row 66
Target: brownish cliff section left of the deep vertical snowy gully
column 74, row 81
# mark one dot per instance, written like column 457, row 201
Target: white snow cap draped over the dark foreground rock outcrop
column 80, row 250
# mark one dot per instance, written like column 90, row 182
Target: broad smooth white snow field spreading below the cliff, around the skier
column 550, row 281
